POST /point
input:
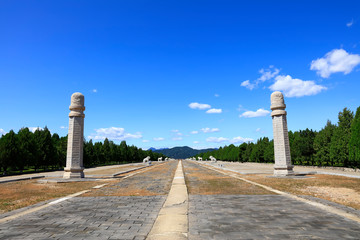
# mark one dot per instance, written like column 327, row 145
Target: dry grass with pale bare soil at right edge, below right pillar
column 342, row 190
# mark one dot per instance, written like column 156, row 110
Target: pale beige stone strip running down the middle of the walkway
column 172, row 221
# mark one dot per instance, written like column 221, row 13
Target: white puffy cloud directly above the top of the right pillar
column 293, row 87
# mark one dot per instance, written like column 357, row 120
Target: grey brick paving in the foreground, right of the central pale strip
column 263, row 217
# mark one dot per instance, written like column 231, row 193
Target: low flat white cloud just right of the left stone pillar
column 113, row 133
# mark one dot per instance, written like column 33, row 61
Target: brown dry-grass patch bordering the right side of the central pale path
column 200, row 180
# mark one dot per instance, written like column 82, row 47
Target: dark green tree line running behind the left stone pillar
column 28, row 151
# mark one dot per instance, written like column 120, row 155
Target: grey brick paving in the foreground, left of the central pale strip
column 129, row 217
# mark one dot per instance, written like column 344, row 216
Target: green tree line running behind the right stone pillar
column 335, row 145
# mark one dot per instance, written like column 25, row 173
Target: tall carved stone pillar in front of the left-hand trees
column 74, row 159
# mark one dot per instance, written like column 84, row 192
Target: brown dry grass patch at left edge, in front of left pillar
column 20, row 194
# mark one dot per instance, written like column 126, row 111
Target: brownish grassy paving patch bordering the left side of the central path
column 153, row 181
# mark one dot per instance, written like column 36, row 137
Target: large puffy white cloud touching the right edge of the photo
column 337, row 60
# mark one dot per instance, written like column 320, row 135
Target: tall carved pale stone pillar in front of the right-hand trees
column 283, row 166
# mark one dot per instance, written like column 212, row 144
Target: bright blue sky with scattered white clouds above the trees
column 175, row 73
